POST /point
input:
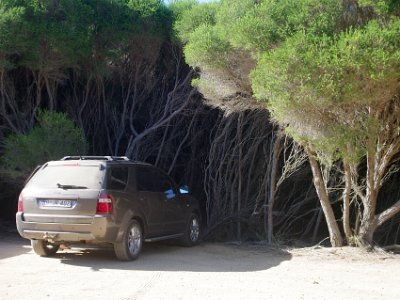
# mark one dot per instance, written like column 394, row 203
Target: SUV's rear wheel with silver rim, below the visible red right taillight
column 131, row 244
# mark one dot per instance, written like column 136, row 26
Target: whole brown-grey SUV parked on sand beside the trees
column 104, row 200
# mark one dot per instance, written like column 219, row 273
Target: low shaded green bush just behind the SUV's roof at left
column 54, row 136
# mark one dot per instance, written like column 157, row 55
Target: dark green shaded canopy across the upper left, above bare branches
column 52, row 36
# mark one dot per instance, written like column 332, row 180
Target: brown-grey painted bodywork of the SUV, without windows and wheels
column 159, row 216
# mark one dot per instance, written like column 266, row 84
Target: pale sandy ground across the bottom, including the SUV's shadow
column 208, row 271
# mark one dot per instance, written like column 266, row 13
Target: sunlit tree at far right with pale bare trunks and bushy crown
column 338, row 96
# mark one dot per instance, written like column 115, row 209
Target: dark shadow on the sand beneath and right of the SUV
column 206, row 257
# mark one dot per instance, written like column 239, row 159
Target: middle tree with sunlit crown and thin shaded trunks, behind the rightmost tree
column 225, row 44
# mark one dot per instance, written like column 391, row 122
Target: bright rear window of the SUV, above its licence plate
column 89, row 176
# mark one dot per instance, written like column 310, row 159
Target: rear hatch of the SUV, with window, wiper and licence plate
column 63, row 192
